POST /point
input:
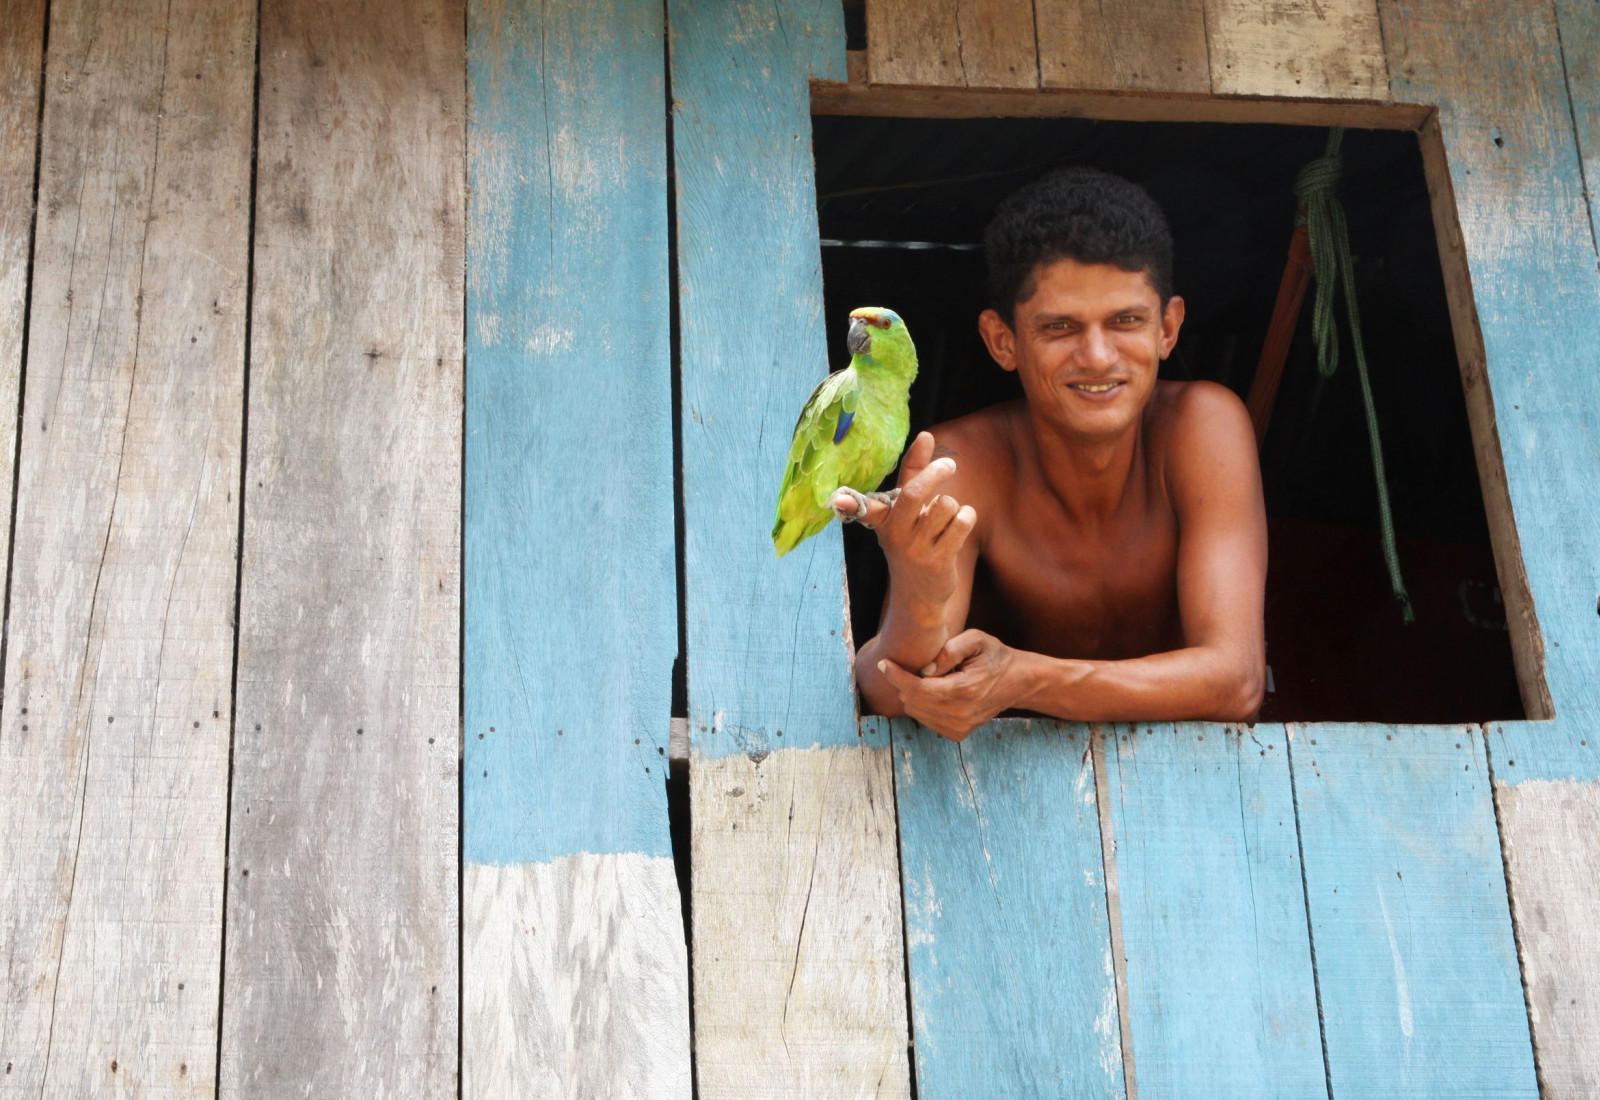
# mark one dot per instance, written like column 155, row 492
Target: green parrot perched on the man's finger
column 852, row 431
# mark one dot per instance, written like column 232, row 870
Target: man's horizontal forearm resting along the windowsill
column 1196, row 684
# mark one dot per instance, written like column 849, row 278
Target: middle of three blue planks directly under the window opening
column 1214, row 915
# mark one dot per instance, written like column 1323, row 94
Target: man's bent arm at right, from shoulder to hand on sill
column 1215, row 485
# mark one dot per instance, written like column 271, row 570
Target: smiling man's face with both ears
column 1087, row 346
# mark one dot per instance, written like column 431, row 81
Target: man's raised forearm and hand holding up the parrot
column 932, row 559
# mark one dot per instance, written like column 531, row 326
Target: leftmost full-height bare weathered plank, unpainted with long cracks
column 114, row 743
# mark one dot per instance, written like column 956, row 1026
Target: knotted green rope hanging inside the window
column 1330, row 265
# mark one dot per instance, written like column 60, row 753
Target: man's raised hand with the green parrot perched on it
column 924, row 532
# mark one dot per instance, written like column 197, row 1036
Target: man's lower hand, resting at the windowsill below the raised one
column 974, row 679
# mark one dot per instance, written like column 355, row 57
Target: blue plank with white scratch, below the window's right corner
column 1409, row 915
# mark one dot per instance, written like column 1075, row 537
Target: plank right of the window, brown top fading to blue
column 1495, row 73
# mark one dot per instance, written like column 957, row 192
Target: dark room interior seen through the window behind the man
column 1337, row 647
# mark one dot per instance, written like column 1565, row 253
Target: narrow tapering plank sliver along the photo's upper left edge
column 22, row 65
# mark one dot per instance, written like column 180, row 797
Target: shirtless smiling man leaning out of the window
column 1098, row 551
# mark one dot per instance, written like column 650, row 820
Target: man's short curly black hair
column 1078, row 213
